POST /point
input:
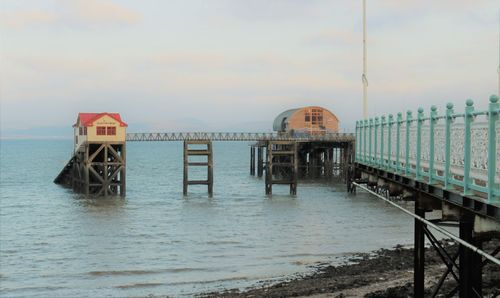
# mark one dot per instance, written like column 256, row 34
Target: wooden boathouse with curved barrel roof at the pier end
column 307, row 120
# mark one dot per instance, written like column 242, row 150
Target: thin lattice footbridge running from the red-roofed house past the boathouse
column 236, row 136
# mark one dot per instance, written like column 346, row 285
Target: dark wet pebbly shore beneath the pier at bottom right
column 384, row 273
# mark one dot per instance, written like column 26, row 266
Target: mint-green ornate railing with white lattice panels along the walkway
column 457, row 150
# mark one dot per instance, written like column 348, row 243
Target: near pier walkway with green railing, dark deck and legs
column 446, row 162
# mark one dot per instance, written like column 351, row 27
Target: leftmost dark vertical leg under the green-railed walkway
column 419, row 252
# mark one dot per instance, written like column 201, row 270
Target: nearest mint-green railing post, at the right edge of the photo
column 493, row 116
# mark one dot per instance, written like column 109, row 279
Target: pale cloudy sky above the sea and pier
column 234, row 65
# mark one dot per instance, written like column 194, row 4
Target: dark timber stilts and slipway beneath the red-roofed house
column 96, row 169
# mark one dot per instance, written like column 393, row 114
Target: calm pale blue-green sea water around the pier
column 54, row 243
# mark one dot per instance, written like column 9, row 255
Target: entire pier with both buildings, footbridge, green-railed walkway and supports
column 447, row 163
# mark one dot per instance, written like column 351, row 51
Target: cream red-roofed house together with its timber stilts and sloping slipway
column 98, row 163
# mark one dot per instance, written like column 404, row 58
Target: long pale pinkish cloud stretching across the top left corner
column 87, row 13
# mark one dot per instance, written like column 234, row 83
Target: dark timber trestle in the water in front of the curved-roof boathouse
column 282, row 165
